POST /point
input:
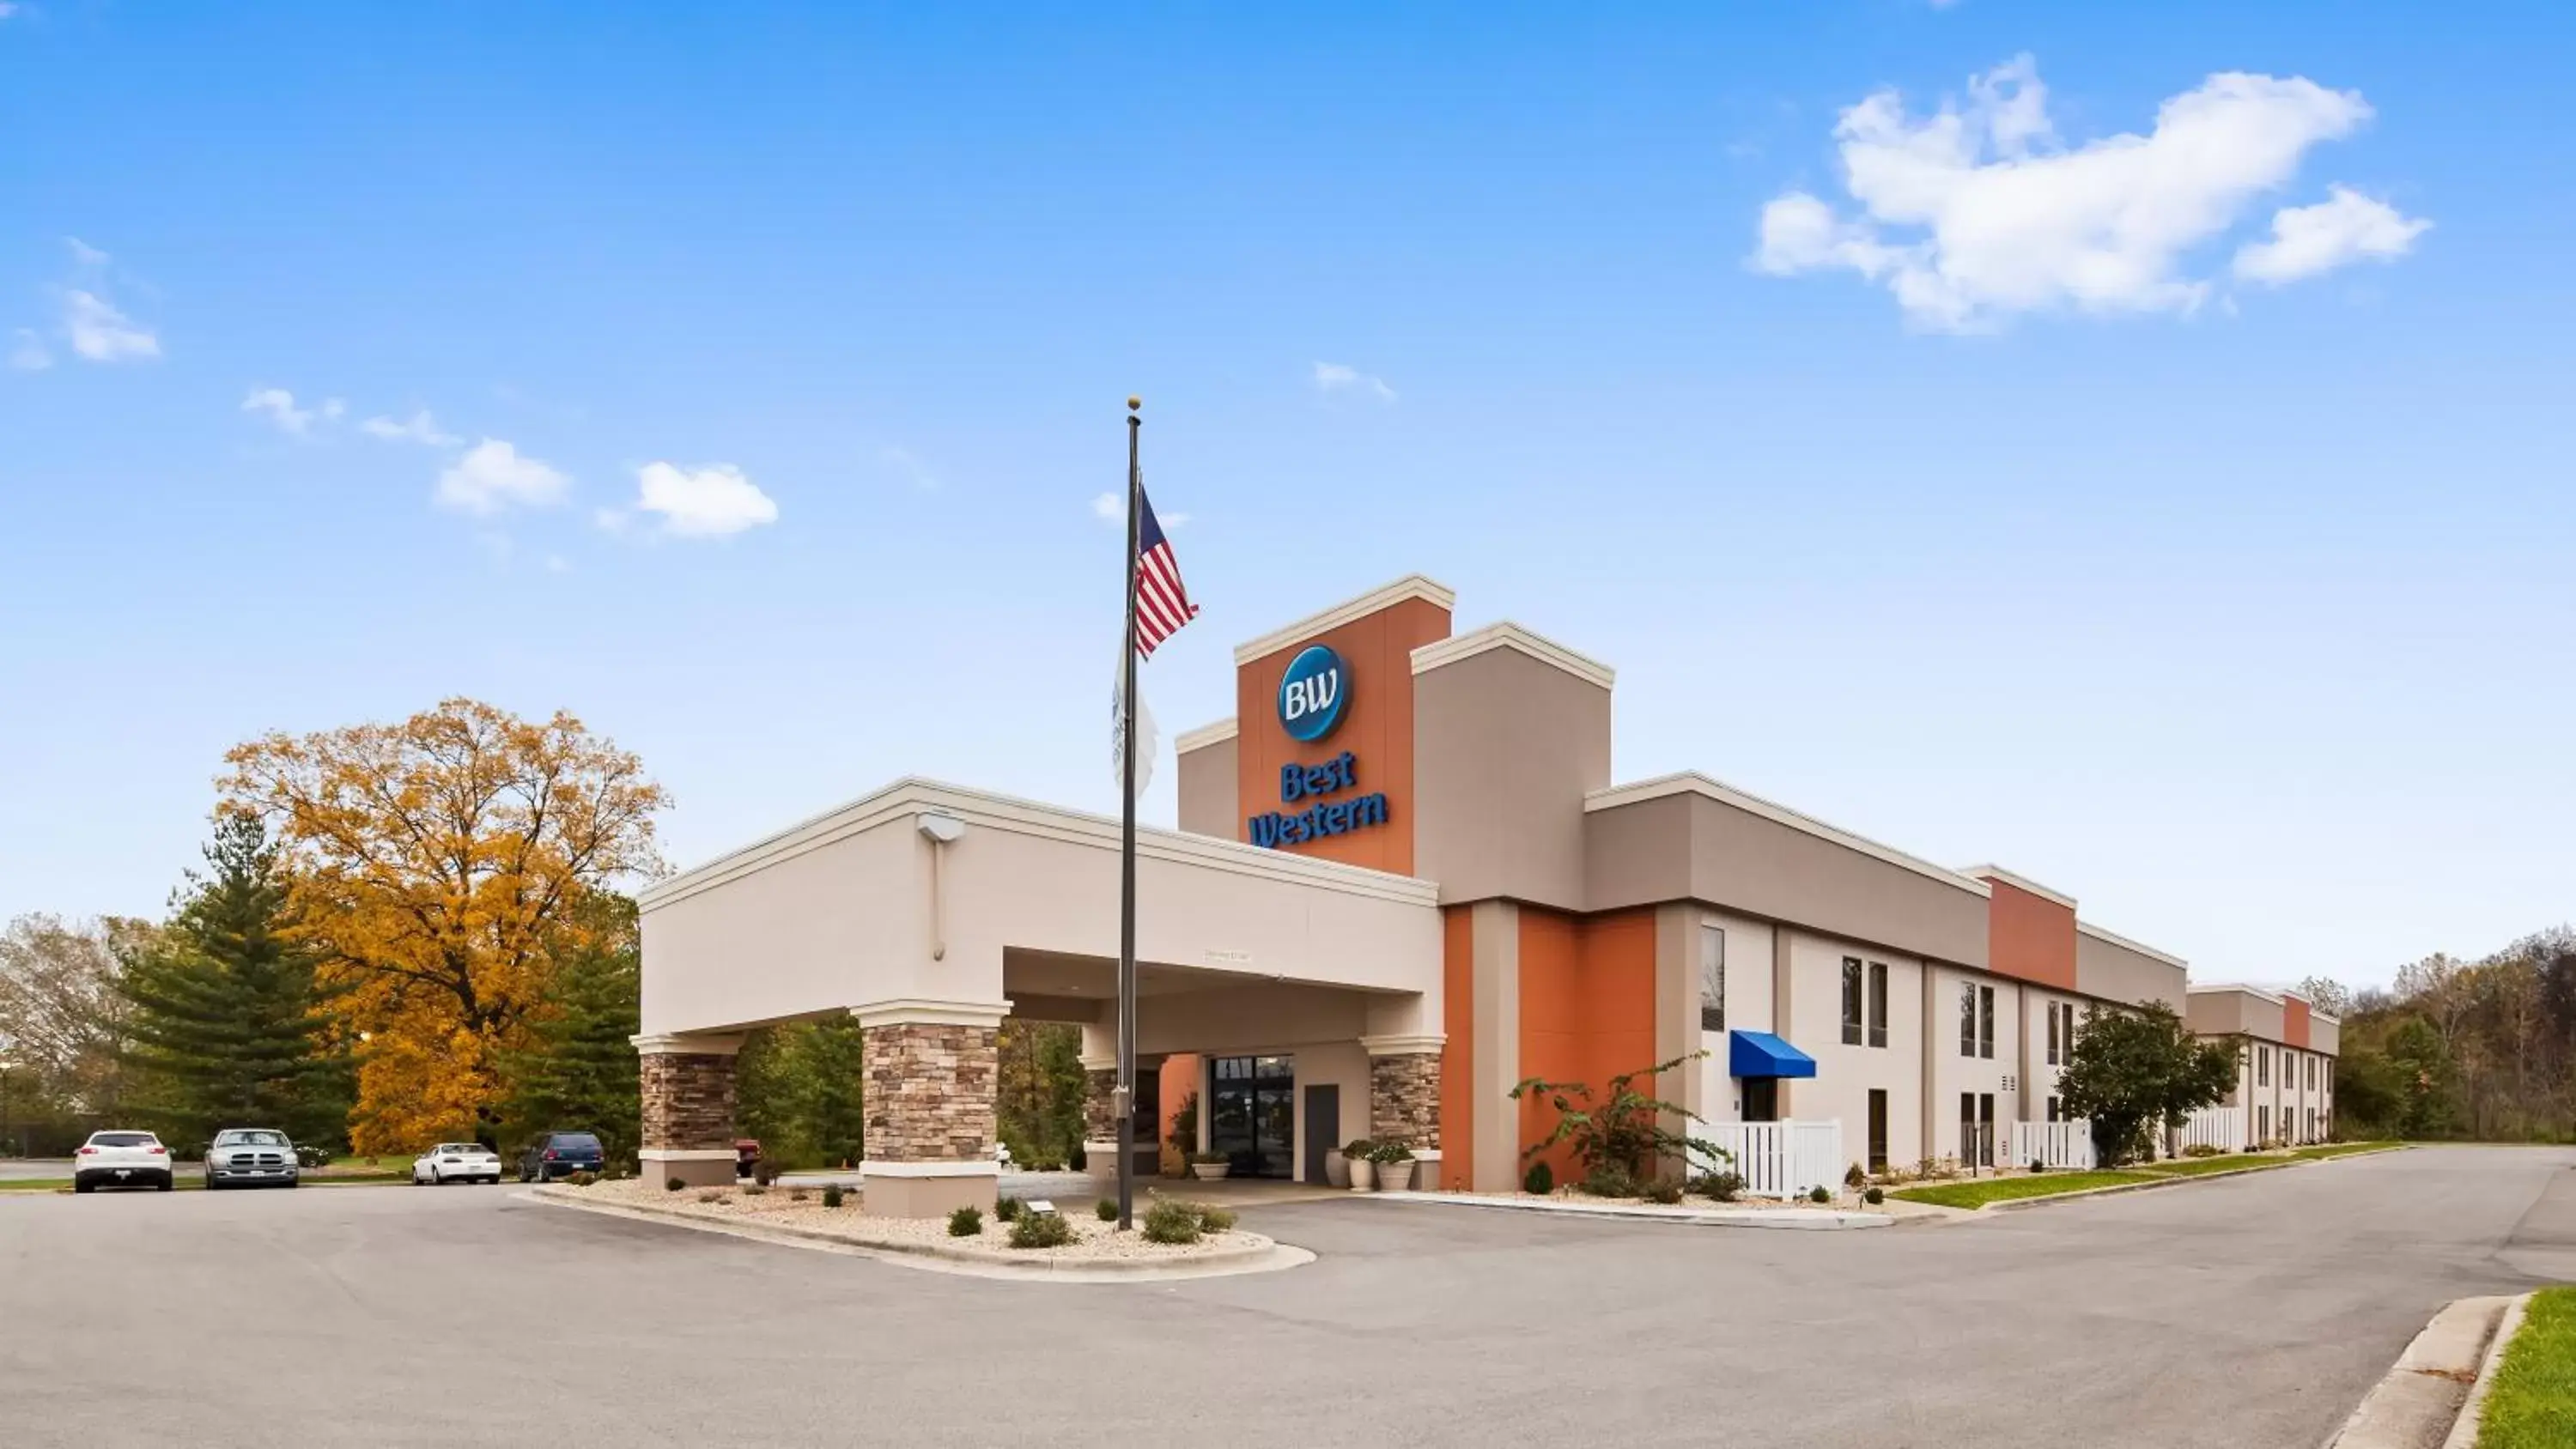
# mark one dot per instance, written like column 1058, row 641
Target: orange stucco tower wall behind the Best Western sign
column 1377, row 727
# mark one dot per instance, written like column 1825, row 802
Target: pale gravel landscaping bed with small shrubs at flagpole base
column 1094, row 1242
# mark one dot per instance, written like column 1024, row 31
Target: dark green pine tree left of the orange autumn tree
column 228, row 1023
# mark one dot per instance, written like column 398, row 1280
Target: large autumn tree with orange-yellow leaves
column 442, row 866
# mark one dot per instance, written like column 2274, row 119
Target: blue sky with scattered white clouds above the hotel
column 2178, row 521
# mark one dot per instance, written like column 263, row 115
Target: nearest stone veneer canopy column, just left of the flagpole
column 931, row 1105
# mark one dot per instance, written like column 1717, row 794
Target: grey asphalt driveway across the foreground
column 2237, row 1314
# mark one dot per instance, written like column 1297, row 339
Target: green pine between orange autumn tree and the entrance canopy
column 578, row 1069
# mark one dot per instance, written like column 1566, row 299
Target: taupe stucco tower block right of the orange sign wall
column 1506, row 750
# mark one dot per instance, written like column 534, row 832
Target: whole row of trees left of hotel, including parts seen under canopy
column 406, row 936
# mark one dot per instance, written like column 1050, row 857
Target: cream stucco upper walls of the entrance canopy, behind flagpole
column 838, row 912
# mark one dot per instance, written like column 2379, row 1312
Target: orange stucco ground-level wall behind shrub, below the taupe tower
column 1586, row 1010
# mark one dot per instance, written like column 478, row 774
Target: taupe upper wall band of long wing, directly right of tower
column 1691, row 845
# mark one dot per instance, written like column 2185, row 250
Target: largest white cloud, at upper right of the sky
column 1982, row 212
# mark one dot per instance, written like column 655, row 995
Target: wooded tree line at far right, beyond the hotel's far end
column 2461, row 1049
